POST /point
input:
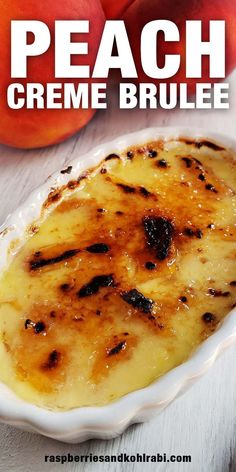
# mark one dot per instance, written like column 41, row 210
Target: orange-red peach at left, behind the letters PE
column 37, row 128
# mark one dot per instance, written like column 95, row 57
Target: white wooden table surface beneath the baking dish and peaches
column 202, row 423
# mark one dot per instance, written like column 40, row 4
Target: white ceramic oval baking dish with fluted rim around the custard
column 80, row 424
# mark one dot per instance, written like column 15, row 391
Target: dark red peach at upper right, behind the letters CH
column 141, row 12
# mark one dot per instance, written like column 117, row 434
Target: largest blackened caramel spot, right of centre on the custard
column 159, row 233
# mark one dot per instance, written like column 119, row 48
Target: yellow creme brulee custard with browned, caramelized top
column 130, row 269
